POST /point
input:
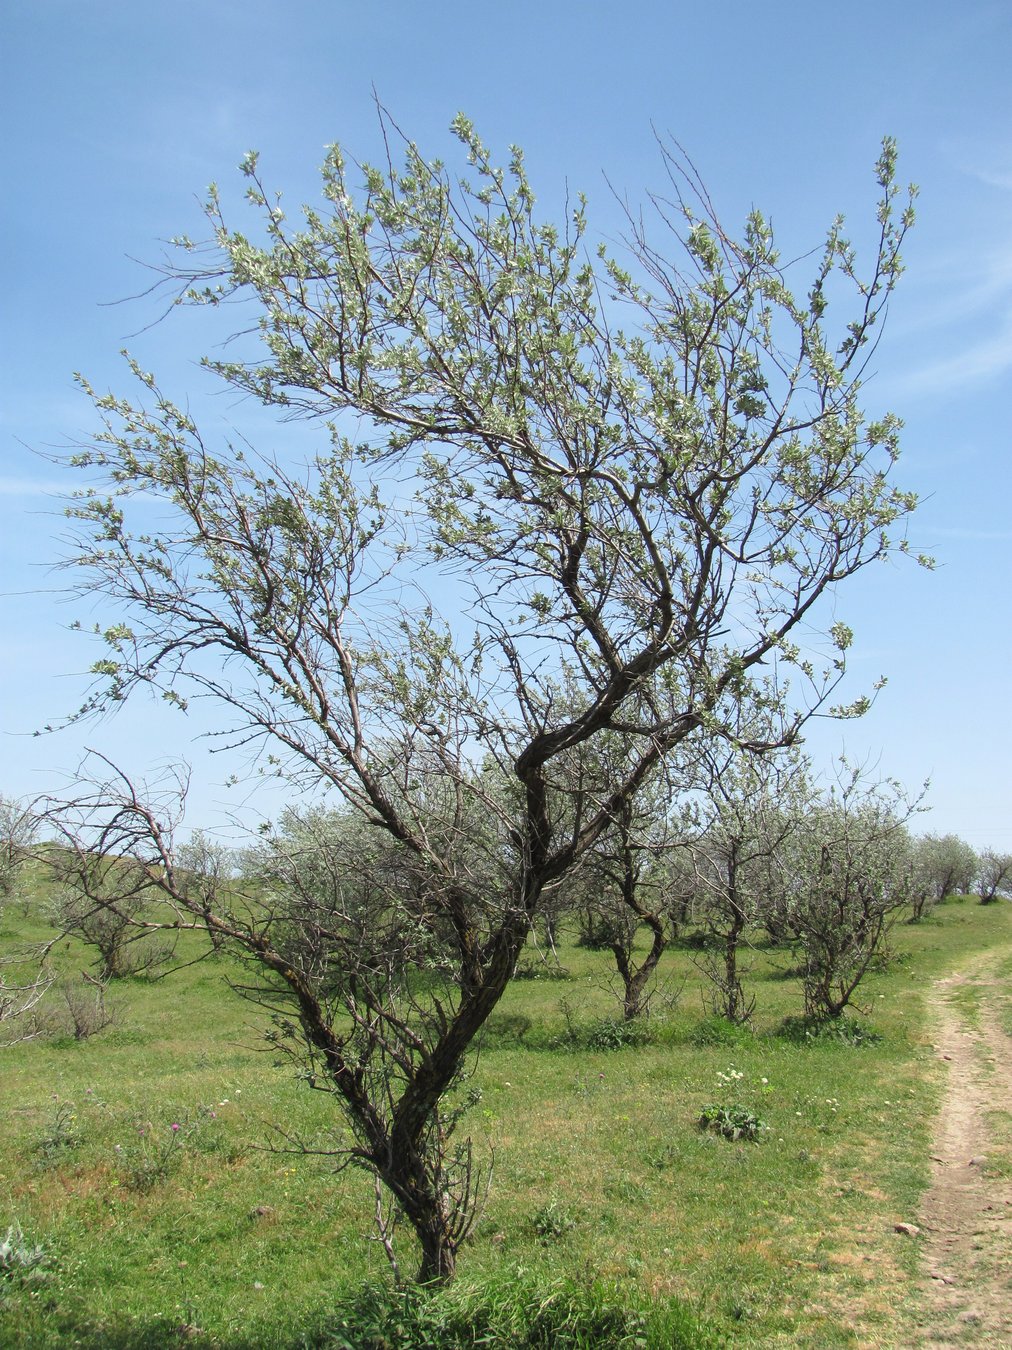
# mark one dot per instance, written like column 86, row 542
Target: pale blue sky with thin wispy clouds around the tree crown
column 119, row 114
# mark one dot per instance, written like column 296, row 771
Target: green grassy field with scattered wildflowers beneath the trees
column 145, row 1163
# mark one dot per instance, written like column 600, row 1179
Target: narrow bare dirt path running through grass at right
column 967, row 1216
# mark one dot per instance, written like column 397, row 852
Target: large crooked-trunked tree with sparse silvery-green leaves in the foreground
column 635, row 518
